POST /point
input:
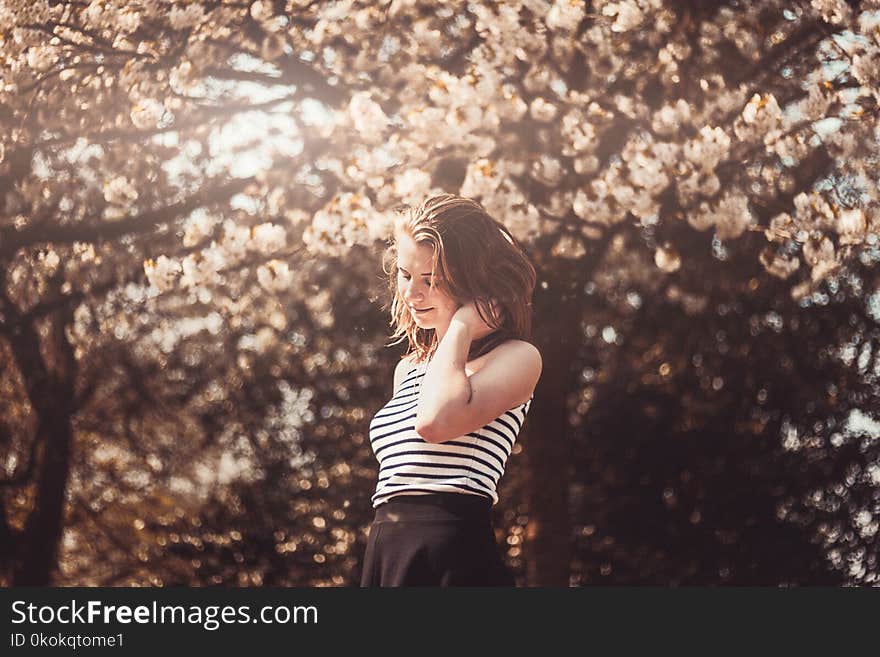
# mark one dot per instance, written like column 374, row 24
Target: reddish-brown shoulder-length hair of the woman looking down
column 475, row 257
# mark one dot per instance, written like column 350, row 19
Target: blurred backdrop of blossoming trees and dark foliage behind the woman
column 194, row 200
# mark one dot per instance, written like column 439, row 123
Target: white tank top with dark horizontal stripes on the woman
column 471, row 464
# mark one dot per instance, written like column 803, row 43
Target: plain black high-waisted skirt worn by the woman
column 438, row 539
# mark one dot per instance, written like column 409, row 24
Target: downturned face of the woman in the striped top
column 417, row 289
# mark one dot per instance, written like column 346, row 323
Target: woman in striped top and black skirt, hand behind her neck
column 461, row 291
